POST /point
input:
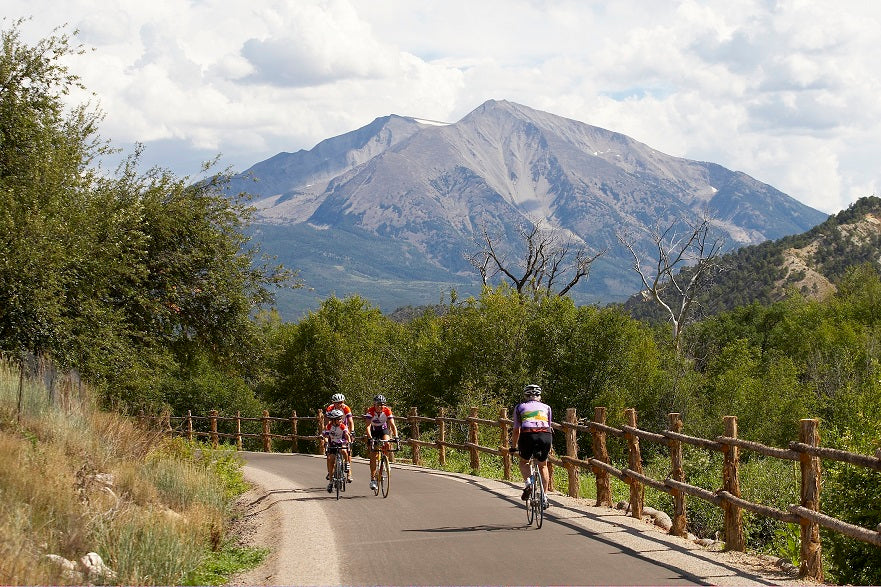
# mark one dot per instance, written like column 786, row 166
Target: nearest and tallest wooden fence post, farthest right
column 811, row 563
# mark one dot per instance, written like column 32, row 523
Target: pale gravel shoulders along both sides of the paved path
column 278, row 514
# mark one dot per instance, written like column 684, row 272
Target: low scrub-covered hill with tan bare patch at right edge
column 811, row 263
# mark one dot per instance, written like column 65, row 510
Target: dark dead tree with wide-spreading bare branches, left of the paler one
column 551, row 258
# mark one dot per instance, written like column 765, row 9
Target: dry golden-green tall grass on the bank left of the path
column 75, row 480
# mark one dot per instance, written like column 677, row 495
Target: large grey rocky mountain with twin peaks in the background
column 390, row 210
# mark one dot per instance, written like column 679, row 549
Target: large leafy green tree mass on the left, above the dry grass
column 119, row 275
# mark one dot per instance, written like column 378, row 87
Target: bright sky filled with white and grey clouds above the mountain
column 787, row 91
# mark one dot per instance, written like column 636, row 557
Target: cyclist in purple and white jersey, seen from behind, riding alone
column 533, row 436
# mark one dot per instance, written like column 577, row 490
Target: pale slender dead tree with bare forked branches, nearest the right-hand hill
column 667, row 284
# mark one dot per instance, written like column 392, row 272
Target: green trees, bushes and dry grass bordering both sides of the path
column 147, row 286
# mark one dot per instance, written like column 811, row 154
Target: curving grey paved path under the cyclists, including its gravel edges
column 436, row 528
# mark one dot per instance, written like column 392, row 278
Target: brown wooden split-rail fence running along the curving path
column 806, row 451
